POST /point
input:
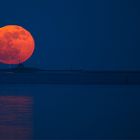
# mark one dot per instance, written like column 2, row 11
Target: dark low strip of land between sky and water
column 26, row 75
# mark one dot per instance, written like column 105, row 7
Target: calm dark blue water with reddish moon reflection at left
column 43, row 112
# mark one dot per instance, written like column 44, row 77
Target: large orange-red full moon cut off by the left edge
column 16, row 44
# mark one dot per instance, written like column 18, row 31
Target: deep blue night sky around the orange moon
column 79, row 34
